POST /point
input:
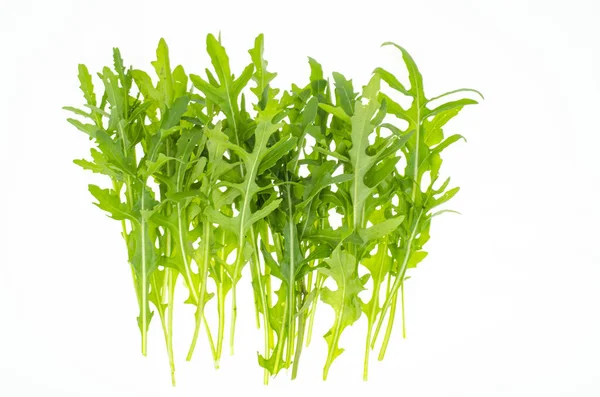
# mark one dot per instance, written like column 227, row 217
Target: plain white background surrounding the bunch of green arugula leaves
column 507, row 303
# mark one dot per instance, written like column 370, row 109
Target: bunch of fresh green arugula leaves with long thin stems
column 205, row 184
